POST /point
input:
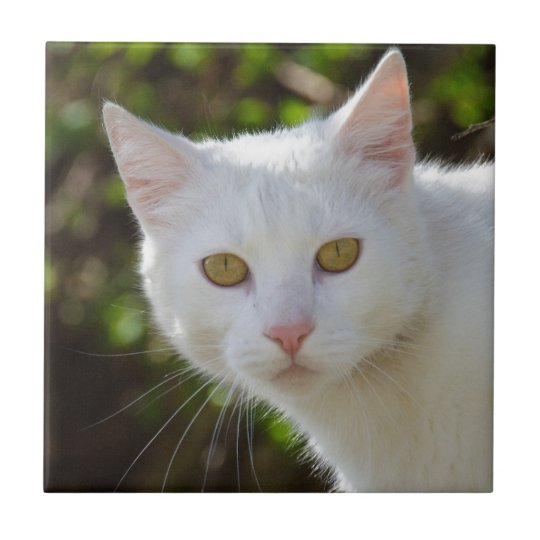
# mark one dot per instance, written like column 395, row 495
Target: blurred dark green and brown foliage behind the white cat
column 97, row 322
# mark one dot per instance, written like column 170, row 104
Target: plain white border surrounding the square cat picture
column 510, row 510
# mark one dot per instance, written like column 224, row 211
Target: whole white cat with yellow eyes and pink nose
column 319, row 268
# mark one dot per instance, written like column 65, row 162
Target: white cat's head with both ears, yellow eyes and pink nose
column 281, row 260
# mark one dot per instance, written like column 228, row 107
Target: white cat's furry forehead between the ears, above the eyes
column 274, row 192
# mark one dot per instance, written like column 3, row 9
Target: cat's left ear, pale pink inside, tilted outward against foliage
column 152, row 163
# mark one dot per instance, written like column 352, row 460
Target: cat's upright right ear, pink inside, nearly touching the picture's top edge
column 376, row 123
